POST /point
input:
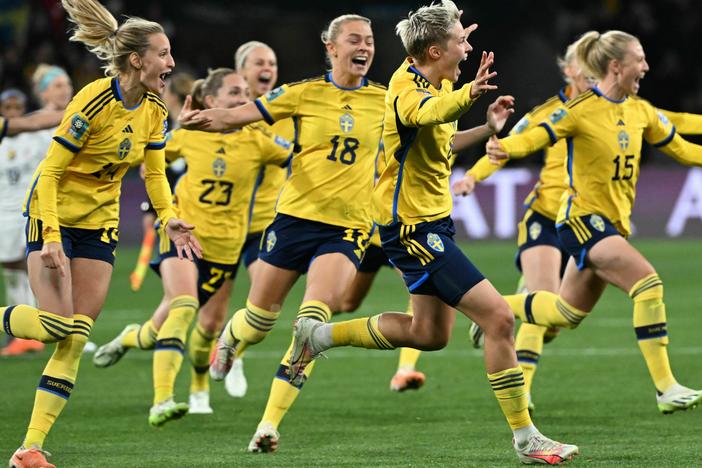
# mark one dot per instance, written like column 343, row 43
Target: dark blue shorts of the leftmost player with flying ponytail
column 95, row 244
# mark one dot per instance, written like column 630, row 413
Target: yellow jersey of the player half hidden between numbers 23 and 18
column 271, row 180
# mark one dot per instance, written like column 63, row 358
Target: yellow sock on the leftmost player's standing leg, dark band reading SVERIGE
column 57, row 381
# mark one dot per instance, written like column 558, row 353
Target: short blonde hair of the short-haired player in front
column 430, row 25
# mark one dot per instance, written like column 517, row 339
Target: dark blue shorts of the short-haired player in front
column 430, row 261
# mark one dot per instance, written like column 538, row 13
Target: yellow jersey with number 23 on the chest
column 216, row 191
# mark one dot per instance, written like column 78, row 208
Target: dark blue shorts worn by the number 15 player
column 579, row 234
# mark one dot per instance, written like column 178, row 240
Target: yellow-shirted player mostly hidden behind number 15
column 541, row 258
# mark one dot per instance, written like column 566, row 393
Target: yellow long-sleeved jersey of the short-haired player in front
column 420, row 123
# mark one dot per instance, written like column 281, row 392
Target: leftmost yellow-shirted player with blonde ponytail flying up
column 73, row 205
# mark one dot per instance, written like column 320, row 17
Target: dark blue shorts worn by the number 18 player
column 292, row 243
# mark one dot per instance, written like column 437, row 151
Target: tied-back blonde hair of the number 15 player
column 594, row 51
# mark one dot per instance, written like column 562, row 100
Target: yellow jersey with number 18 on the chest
column 338, row 131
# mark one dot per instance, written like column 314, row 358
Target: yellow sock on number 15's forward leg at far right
column 652, row 330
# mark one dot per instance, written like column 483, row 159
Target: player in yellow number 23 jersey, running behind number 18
column 216, row 193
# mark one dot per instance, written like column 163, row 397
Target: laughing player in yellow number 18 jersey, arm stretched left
column 323, row 216
